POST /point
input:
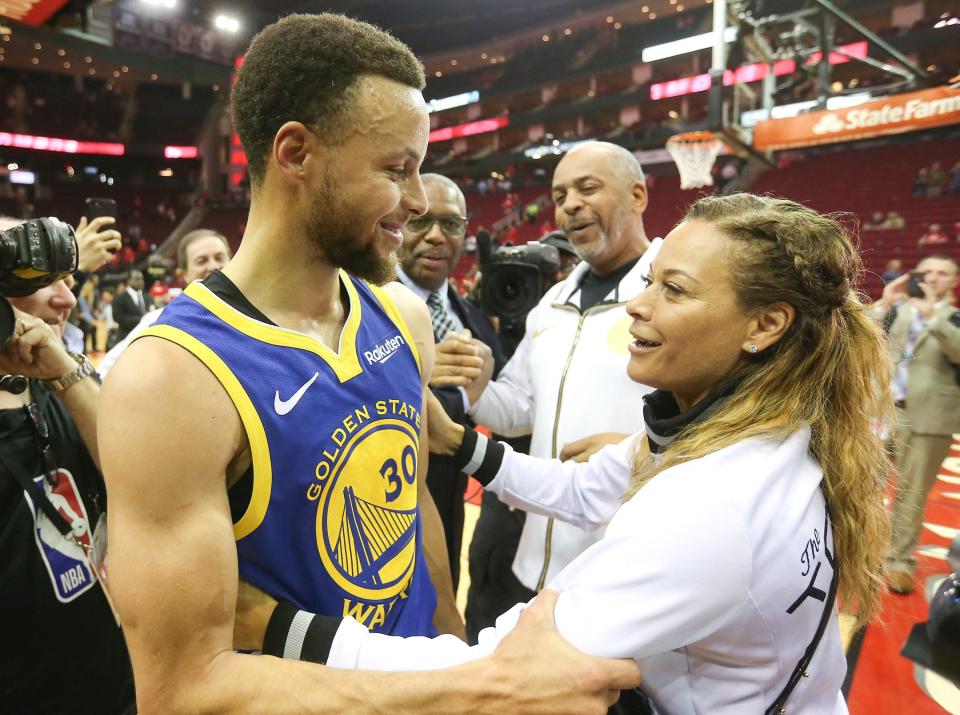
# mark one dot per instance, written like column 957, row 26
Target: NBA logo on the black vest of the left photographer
column 64, row 556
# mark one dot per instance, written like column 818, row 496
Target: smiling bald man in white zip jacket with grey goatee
column 573, row 355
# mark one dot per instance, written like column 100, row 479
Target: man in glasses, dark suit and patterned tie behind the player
column 432, row 245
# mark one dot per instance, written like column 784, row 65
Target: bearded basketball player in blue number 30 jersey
column 269, row 426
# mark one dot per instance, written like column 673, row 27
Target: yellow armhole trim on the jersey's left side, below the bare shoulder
column 257, row 436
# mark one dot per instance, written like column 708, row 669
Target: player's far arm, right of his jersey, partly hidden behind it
column 447, row 618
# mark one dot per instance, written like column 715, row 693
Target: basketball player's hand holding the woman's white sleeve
column 549, row 676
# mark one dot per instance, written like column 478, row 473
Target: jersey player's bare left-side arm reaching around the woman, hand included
column 173, row 575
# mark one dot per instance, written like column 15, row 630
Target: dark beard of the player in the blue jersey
column 333, row 232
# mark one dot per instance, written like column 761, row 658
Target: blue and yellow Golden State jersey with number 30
column 332, row 525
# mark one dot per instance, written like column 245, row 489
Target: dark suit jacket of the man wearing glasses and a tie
column 447, row 484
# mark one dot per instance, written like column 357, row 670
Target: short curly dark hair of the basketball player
column 305, row 68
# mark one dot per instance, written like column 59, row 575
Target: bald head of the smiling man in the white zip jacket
column 600, row 196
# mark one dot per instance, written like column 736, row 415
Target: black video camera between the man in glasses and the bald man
column 516, row 277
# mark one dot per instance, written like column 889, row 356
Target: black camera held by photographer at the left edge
column 33, row 255
